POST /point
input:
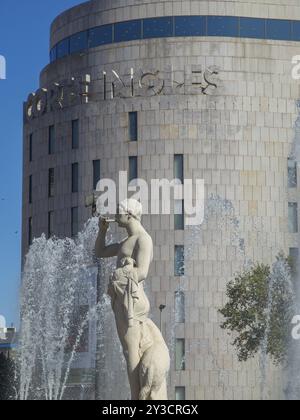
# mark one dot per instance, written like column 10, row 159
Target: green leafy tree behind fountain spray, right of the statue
column 260, row 309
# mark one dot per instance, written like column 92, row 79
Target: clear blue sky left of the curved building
column 24, row 42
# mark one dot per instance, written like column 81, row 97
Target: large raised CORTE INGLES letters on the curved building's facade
column 110, row 85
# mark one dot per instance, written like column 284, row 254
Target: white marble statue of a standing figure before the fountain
column 144, row 348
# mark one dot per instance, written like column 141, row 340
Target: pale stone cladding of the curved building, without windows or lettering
column 238, row 139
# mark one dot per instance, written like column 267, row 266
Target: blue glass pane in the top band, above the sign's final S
column 222, row 26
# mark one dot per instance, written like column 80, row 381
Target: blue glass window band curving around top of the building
column 173, row 26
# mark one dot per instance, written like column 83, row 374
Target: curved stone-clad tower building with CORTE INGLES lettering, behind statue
column 196, row 89
